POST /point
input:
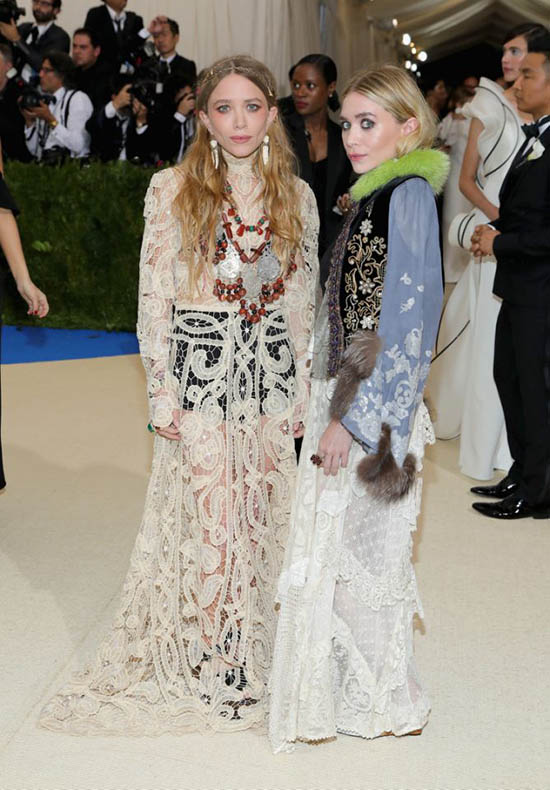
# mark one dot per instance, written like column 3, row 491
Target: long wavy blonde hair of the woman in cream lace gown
column 199, row 202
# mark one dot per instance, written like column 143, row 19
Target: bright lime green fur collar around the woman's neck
column 424, row 162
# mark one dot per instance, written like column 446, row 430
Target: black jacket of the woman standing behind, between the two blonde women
column 339, row 172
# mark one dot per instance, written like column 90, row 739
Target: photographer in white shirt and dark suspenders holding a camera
column 55, row 119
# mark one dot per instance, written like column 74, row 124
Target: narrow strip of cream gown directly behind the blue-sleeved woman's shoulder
column 453, row 132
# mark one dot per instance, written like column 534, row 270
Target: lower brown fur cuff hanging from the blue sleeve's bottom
column 380, row 473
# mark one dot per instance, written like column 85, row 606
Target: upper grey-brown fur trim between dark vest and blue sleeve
column 359, row 362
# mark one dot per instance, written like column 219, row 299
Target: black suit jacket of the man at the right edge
column 523, row 248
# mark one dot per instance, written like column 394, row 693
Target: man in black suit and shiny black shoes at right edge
column 520, row 241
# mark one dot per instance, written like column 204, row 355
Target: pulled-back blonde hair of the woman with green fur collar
column 397, row 93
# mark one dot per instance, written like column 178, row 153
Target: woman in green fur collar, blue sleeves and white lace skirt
column 344, row 651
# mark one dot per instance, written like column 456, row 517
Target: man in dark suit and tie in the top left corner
column 32, row 40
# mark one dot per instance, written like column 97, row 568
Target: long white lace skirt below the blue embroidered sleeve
column 343, row 659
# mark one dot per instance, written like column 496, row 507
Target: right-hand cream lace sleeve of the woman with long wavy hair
column 300, row 298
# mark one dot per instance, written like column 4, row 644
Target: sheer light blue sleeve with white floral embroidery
column 411, row 306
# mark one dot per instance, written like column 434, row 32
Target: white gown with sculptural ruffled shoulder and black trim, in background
column 461, row 383
